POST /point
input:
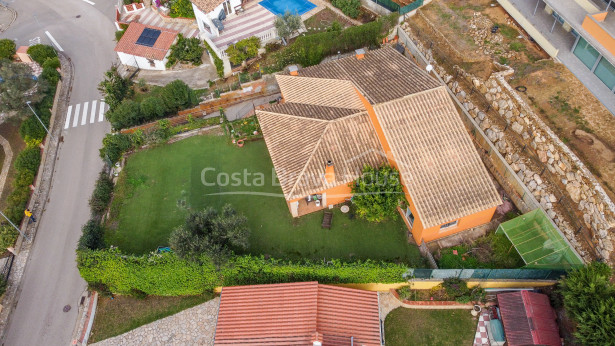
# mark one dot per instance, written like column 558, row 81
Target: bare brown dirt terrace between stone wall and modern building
column 464, row 33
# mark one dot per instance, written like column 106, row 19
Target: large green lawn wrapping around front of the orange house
column 159, row 186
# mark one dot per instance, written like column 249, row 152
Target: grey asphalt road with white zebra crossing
column 86, row 33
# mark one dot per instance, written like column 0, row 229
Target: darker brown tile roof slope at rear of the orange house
column 382, row 75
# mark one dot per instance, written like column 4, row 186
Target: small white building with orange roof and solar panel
column 145, row 47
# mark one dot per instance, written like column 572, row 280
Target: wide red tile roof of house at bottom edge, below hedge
column 304, row 313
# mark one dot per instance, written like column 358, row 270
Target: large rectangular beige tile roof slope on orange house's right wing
column 439, row 165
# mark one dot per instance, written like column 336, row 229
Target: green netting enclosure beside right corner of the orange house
column 539, row 242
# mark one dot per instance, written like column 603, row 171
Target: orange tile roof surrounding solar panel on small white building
column 128, row 42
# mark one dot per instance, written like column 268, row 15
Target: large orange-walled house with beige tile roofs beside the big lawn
column 374, row 108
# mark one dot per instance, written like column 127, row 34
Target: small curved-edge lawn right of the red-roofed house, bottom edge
column 405, row 326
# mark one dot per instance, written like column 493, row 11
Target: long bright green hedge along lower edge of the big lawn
column 166, row 275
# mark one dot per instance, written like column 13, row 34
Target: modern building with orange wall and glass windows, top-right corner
column 579, row 33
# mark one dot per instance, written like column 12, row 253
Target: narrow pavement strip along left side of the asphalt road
column 38, row 199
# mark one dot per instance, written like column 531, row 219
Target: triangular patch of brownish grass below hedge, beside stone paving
column 124, row 313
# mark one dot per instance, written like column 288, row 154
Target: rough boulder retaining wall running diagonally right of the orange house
column 584, row 196
